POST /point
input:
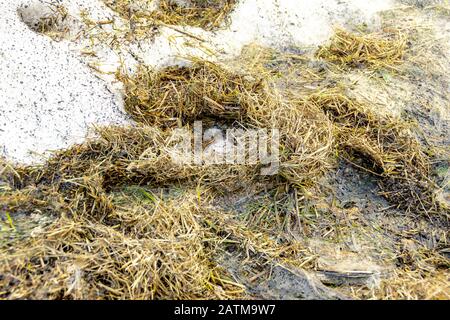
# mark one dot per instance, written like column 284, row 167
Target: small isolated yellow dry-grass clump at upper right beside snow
column 364, row 50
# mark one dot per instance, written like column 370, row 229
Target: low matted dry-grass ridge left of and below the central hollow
column 127, row 156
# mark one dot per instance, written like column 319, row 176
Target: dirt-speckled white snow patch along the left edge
column 48, row 97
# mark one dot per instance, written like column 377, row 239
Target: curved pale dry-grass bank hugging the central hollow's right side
column 305, row 135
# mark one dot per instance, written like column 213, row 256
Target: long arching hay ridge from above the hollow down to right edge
column 314, row 127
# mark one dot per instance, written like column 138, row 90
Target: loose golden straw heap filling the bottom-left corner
column 147, row 251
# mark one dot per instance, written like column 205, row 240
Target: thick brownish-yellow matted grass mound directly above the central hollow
column 176, row 95
